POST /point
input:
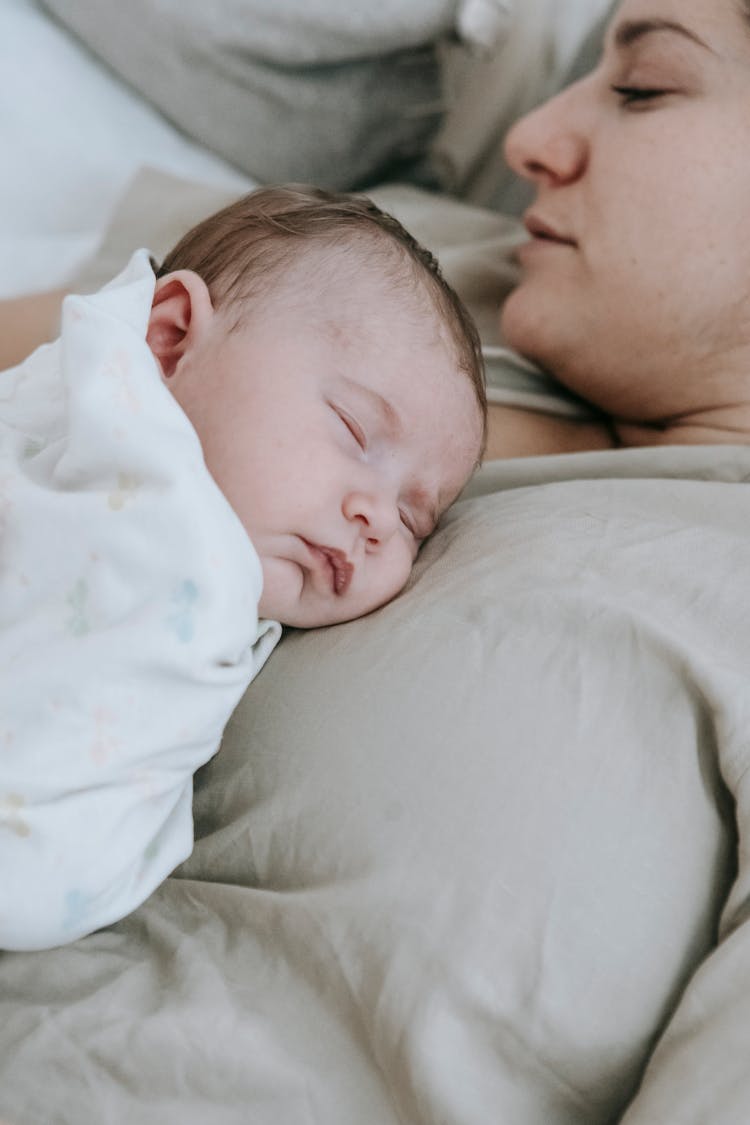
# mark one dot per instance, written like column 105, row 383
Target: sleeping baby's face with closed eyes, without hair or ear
column 339, row 429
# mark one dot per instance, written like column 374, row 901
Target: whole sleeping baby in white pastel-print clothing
column 261, row 435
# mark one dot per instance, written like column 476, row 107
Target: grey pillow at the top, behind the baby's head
column 333, row 94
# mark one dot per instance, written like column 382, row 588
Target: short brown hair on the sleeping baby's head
column 241, row 249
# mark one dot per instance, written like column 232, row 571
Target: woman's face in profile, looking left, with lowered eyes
column 636, row 284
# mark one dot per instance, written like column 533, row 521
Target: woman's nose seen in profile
column 549, row 145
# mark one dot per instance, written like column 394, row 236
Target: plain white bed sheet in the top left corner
column 73, row 138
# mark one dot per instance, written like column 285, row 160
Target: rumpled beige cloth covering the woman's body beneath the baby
column 464, row 861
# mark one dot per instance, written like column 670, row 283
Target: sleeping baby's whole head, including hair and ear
column 337, row 386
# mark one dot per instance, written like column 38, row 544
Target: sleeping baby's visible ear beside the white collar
column 180, row 312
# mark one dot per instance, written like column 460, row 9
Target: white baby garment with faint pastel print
column 129, row 623
